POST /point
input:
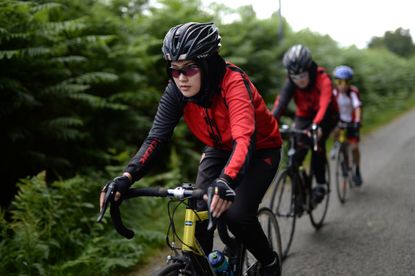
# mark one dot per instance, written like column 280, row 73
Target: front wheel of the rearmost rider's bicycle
column 342, row 174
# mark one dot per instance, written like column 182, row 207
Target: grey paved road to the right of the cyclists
column 374, row 232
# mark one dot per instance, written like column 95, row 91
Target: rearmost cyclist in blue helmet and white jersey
column 350, row 108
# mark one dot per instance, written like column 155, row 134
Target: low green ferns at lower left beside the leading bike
column 54, row 231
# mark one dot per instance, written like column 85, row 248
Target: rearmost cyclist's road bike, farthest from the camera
column 344, row 168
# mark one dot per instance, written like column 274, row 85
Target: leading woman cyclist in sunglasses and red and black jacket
column 224, row 110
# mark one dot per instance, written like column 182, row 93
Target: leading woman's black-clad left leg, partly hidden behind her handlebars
column 210, row 167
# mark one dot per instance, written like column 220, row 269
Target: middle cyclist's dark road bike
column 292, row 190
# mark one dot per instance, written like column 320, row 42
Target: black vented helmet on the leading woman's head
column 191, row 41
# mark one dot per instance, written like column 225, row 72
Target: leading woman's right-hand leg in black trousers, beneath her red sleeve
column 242, row 215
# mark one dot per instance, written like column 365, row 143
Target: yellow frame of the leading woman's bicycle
column 189, row 241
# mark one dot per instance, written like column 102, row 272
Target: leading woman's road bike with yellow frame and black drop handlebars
column 188, row 257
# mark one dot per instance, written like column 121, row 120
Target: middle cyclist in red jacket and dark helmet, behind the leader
column 311, row 88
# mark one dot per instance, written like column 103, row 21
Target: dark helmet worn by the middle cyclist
column 297, row 59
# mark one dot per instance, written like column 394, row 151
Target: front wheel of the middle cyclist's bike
column 283, row 205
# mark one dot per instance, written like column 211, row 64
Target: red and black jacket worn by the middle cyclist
column 311, row 102
